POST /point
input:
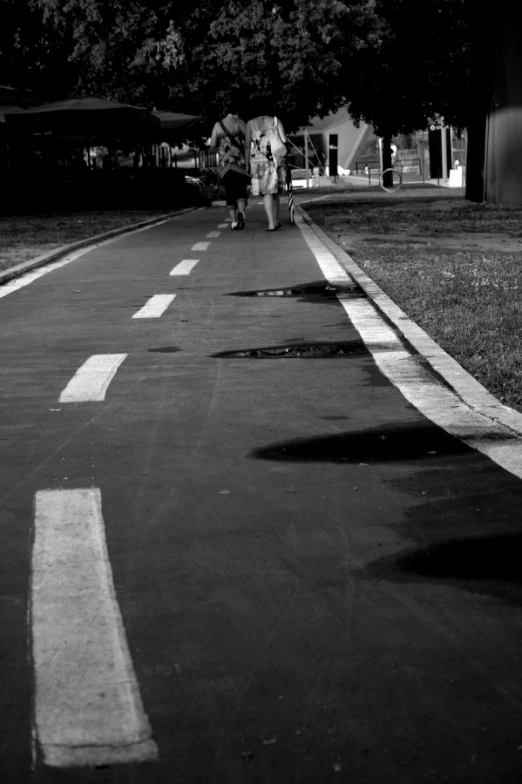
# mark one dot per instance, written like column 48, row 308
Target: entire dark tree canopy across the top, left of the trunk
column 394, row 63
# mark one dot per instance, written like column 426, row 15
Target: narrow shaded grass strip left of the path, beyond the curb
column 23, row 237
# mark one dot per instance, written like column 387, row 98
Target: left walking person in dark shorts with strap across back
column 228, row 136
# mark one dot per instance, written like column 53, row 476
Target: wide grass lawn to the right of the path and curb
column 454, row 267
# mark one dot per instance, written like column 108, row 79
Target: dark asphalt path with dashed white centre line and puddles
column 296, row 577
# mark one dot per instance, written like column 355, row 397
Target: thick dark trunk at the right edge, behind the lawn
column 494, row 170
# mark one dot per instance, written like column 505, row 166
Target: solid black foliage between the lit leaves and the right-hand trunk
column 419, row 70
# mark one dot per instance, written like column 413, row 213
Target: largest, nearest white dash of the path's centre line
column 87, row 705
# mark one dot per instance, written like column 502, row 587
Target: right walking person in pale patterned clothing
column 265, row 153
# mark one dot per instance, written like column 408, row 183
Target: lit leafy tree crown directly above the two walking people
column 289, row 55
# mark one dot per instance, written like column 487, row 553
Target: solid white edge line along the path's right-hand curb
column 419, row 386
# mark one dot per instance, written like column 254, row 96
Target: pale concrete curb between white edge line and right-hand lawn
column 467, row 388
